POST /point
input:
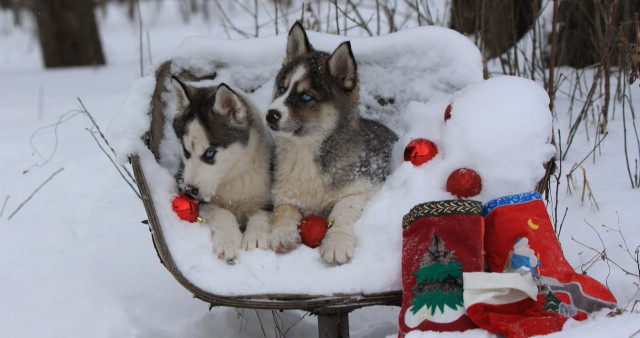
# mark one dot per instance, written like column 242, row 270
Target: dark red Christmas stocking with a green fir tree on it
column 441, row 240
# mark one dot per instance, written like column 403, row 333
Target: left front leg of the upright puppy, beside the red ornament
column 284, row 234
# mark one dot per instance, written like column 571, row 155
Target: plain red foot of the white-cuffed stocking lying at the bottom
column 516, row 320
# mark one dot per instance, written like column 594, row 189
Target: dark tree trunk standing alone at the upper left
column 68, row 33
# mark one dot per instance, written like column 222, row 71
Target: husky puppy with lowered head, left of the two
column 226, row 155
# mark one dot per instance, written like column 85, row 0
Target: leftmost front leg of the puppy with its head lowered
column 227, row 236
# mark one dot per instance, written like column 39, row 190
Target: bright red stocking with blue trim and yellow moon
column 519, row 236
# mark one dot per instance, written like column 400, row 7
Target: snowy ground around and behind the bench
column 76, row 261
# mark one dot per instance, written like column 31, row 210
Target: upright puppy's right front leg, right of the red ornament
column 339, row 242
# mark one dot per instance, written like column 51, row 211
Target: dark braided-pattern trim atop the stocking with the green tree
column 442, row 208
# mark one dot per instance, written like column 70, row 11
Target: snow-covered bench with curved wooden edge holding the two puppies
column 423, row 65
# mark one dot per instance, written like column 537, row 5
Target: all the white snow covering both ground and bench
column 75, row 258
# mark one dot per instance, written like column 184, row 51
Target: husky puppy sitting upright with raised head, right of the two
column 329, row 161
